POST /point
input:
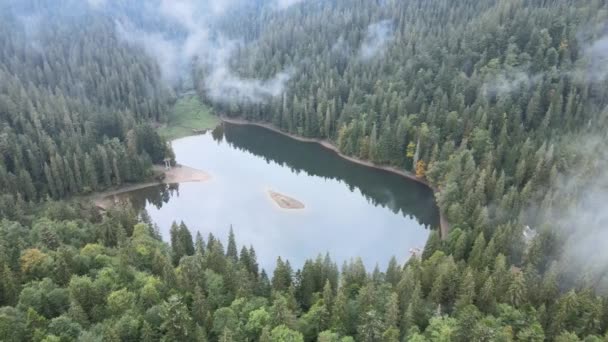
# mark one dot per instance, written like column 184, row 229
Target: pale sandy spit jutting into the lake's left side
column 177, row 174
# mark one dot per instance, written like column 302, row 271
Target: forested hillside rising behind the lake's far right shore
column 499, row 104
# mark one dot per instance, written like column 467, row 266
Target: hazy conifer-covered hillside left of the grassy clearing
column 75, row 108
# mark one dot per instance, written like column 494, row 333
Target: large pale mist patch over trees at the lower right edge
column 584, row 223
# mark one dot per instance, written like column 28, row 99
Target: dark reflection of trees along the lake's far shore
column 379, row 187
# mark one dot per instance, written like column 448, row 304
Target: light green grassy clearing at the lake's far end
column 188, row 114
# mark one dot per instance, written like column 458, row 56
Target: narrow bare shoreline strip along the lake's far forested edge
column 444, row 224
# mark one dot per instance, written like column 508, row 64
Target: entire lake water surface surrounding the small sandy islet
column 351, row 210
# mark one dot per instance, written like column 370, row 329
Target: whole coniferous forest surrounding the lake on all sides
column 500, row 105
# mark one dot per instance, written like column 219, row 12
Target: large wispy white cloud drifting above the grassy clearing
column 213, row 51
